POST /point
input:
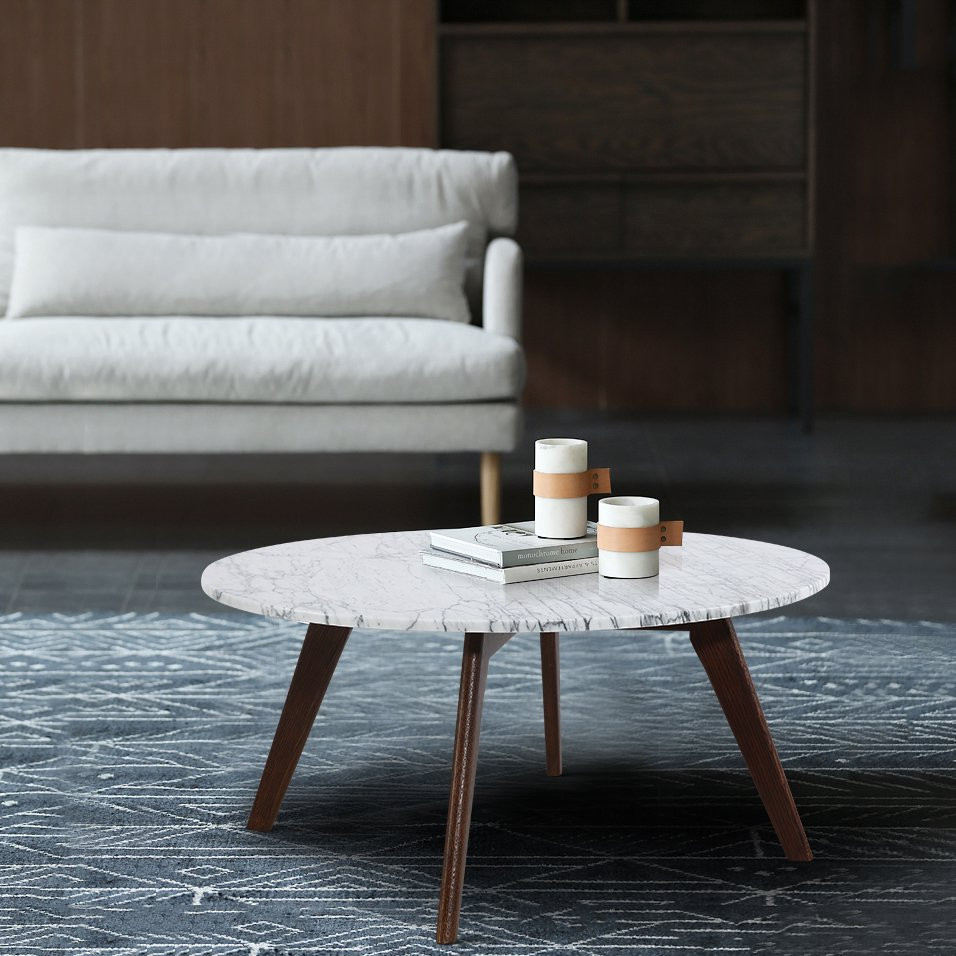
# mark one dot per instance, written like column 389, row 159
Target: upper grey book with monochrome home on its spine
column 513, row 545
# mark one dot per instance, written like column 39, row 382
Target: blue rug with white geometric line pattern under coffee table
column 132, row 745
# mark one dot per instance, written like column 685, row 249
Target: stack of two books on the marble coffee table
column 507, row 553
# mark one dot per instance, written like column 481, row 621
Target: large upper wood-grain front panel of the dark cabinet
column 628, row 102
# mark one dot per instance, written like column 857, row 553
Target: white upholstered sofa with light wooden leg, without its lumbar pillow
column 93, row 383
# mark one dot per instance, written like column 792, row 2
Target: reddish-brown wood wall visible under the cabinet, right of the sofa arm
column 585, row 331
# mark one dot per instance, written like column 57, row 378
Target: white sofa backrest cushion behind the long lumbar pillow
column 278, row 191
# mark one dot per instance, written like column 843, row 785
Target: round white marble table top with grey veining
column 379, row 581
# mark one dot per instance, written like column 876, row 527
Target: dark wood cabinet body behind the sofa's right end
column 642, row 139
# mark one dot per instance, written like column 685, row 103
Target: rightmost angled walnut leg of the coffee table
column 719, row 651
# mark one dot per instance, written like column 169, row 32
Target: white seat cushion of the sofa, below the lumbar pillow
column 257, row 359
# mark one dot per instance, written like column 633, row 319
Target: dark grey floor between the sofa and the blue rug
column 875, row 498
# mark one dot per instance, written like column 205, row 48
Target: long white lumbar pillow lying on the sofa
column 61, row 271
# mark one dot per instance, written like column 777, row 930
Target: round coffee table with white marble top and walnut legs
column 378, row 581
